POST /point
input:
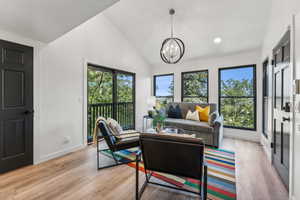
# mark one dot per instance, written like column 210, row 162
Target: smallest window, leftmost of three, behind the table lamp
column 164, row 89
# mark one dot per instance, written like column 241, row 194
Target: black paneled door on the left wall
column 16, row 106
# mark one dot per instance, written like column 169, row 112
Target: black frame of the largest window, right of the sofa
column 251, row 97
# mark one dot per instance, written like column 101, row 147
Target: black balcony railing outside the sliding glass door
column 122, row 112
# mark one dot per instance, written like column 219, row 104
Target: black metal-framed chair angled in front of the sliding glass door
column 114, row 144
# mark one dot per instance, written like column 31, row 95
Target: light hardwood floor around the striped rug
column 75, row 176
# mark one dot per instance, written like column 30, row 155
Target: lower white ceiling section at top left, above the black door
column 46, row 20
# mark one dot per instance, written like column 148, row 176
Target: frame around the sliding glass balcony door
column 86, row 66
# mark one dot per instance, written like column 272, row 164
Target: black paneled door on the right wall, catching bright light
column 282, row 108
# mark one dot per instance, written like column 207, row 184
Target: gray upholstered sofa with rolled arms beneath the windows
column 211, row 133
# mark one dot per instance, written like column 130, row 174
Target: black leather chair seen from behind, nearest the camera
column 179, row 156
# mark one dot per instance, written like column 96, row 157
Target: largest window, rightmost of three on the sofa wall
column 237, row 96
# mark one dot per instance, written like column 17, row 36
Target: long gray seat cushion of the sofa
column 189, row 125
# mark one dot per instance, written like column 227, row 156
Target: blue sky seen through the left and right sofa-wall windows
column 236, row 73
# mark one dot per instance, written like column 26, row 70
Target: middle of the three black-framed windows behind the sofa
column 194, row 86
